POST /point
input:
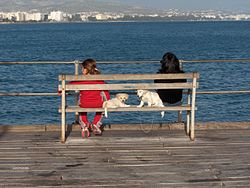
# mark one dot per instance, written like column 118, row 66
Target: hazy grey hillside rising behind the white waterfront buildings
column 69, row 6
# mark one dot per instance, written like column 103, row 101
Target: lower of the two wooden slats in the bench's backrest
column 131, row 86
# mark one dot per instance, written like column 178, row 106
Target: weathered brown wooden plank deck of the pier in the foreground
column 219, row 157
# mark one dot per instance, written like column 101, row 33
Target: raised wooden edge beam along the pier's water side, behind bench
column 220, row 127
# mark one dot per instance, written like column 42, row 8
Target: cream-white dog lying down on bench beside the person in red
column 118, row 101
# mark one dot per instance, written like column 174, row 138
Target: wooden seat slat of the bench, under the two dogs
column 127, row 109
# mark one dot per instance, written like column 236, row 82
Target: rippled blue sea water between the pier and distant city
column 123, row 41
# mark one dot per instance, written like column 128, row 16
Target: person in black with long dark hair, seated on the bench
column 170, row 64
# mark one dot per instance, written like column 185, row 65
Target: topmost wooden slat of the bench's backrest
column 129, row 76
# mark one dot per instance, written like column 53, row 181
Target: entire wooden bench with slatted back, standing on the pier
column 132, row 82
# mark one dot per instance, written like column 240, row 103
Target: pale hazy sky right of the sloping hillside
column 231, row 5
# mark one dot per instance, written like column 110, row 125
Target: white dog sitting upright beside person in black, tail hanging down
column 151, row 98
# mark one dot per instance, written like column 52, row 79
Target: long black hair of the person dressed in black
column 169, row 63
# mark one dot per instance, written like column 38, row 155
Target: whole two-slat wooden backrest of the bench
column 129, row 81
